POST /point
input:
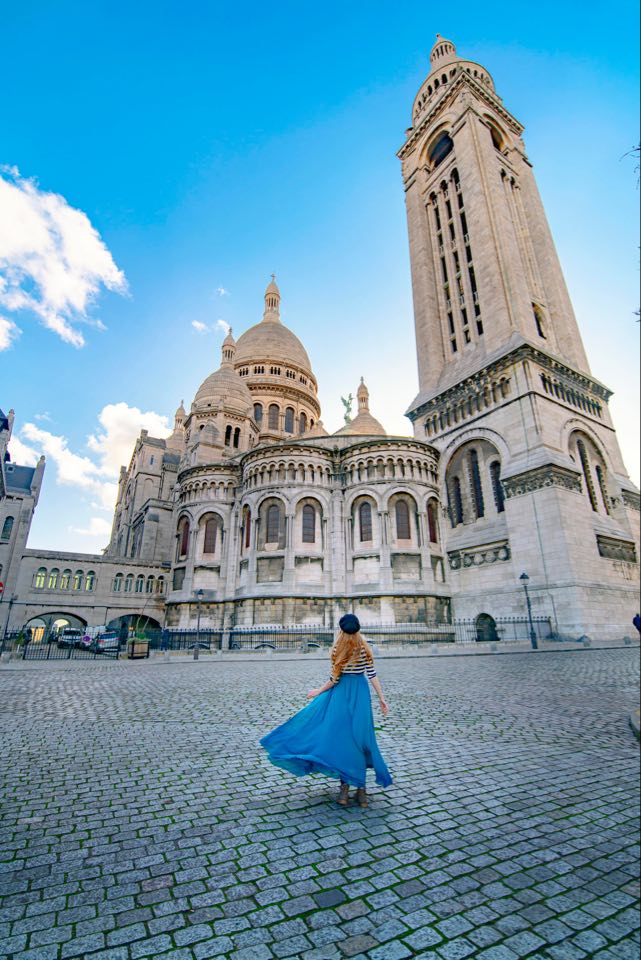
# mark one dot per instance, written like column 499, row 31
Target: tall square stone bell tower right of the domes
column 533, row 479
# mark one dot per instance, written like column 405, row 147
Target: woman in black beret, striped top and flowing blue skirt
column 334, row 734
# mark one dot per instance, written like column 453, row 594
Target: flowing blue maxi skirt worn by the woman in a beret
column 333, row 735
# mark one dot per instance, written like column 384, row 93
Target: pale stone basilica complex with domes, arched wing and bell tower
column 250, row 513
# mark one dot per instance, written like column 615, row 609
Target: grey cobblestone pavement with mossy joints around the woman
column 140, row 819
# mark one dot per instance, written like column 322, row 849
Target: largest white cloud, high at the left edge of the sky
column 52, row 260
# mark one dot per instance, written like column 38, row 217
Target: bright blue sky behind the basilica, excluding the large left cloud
column 210, row 144
